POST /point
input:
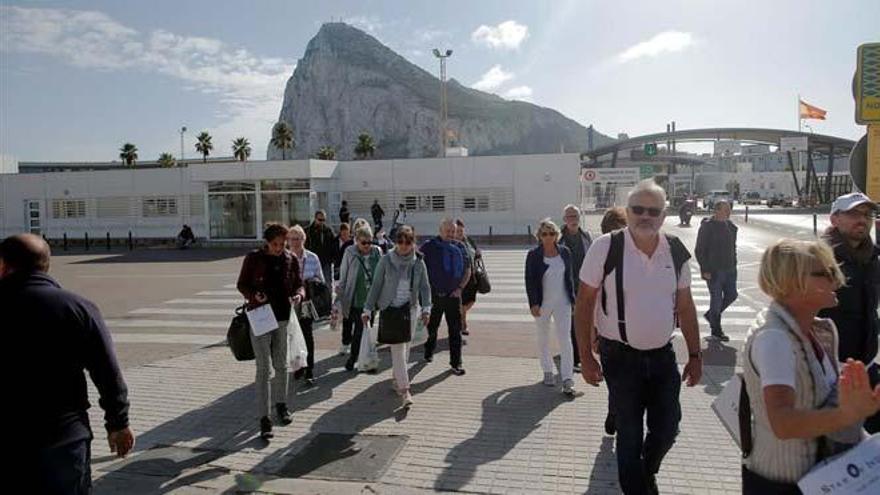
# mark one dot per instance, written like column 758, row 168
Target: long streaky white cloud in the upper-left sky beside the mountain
column 249, row 87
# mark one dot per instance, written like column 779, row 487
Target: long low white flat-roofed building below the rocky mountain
column 232, row 201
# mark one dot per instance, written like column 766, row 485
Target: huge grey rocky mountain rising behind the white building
column 348, row 82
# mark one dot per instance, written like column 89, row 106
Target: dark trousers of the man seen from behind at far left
column 65, row 470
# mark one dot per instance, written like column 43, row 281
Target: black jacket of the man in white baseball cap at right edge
column 856, row 312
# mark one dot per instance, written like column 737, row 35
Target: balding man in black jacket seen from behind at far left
column 65, row 336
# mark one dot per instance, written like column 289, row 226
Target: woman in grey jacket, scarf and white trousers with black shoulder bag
column 400, row 285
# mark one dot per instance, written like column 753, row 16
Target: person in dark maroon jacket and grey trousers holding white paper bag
column 271, row 275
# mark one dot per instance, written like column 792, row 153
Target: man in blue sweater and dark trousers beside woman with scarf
column 448, row 272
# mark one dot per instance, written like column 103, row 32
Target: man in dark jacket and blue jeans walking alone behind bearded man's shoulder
column 716, row 255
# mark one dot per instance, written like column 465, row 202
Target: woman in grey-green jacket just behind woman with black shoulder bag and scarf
column 355, row 279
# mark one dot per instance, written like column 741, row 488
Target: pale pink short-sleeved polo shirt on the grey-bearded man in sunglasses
column 649, row 289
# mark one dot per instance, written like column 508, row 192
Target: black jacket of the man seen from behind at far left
column 57, row 336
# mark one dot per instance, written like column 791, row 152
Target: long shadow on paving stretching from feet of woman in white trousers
column 509, row 416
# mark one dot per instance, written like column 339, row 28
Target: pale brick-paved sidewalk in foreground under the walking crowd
column 494, row 430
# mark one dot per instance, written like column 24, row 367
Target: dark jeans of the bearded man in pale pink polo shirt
column 640, row 382
